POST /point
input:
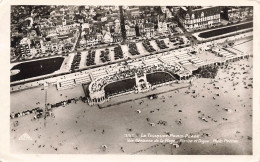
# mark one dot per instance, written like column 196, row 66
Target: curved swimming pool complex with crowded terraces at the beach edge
column 105, row 85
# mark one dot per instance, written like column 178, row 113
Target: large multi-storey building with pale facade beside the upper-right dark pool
column 192, row 17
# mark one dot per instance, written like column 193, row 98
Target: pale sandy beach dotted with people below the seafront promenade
column 213, row 109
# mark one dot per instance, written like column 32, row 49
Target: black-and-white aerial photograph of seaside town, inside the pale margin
column 131, row 80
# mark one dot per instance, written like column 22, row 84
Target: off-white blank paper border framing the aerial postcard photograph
column 5, row 155
